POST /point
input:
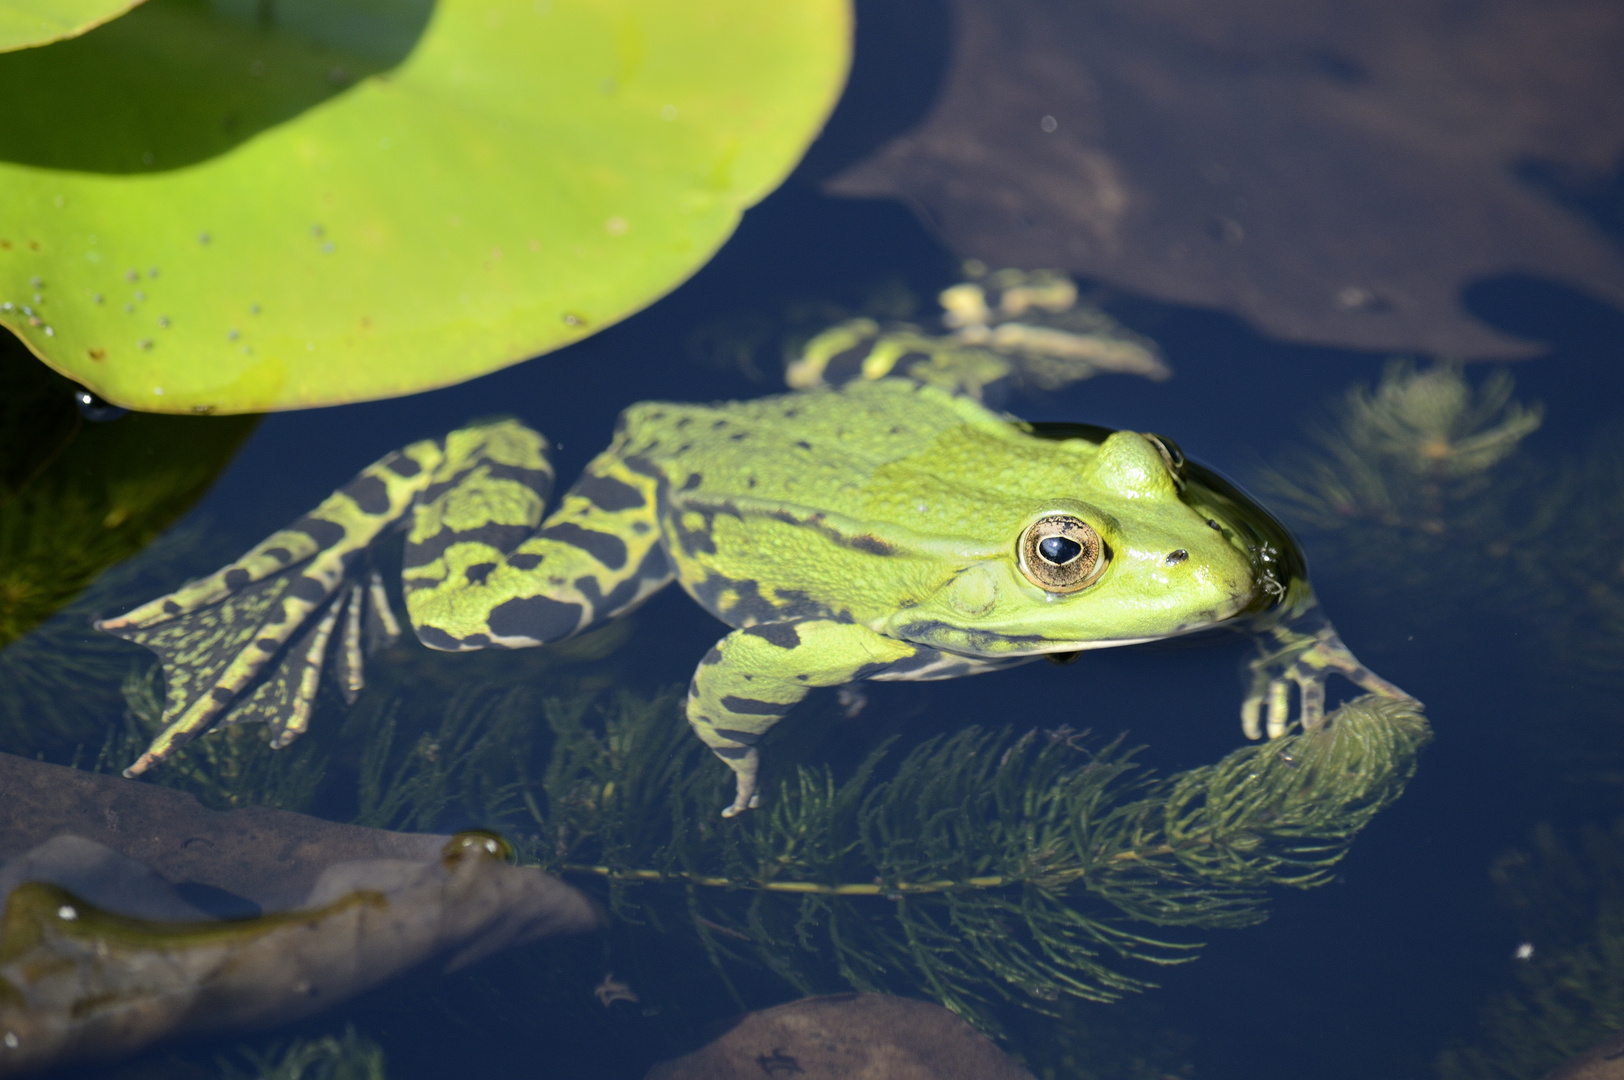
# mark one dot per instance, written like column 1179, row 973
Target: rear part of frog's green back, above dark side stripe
column 816, row 449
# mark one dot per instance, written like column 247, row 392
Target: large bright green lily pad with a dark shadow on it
column 256, row 205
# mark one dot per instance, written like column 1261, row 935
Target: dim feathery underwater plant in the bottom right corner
column 1568, row 897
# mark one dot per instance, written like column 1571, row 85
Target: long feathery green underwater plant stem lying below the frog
column 977, row 868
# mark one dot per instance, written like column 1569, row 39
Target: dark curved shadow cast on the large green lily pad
column 179, row 82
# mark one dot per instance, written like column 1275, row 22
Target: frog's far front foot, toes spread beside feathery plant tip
column 1303, row 650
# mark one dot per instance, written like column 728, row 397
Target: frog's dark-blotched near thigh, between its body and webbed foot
column 503, row 582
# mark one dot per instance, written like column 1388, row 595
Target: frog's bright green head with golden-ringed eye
column 1125, row 555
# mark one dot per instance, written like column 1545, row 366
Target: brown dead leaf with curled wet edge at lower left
column 103, row 954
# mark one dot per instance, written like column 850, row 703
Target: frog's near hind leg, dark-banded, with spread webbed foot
column 251, row 642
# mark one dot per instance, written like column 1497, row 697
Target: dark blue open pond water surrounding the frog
column 1501, row 608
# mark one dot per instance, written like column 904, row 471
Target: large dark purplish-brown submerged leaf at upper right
column 1334, row 173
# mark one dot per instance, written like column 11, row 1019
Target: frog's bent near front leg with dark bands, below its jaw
column 758, row 675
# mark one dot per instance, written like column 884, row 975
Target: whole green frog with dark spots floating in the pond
column 886, row 530
